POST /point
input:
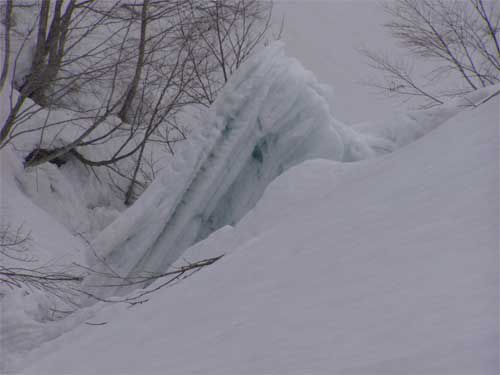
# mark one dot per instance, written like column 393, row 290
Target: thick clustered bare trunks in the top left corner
column 42, row 83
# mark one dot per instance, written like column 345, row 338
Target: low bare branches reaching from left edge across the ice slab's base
column 18, row 269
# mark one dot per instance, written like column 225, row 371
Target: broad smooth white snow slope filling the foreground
column 385, row 266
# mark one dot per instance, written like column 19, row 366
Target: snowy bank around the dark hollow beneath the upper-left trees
column 78, row 197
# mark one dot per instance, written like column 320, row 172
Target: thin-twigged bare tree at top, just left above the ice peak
column 226, row 33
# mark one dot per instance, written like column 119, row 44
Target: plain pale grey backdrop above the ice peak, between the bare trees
column 324, row 36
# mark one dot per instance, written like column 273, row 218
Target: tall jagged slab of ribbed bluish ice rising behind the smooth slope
column 271, row 115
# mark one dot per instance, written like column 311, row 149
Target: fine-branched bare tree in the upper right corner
column 459, row 38
